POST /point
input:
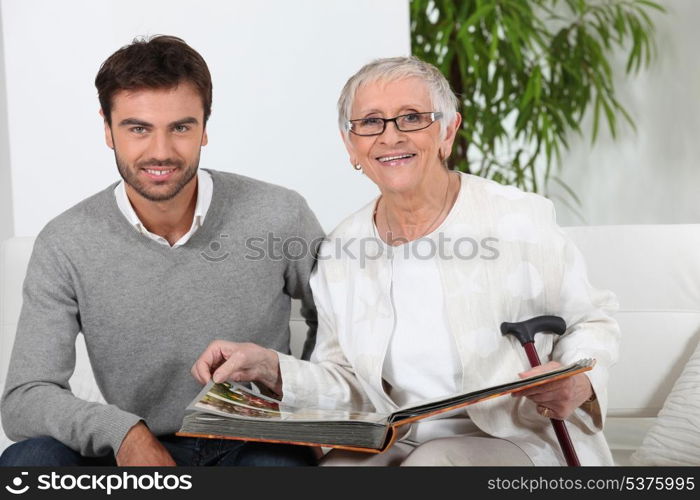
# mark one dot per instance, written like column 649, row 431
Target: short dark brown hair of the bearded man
column 158, row 62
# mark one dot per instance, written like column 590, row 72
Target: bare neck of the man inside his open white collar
column 169, row 219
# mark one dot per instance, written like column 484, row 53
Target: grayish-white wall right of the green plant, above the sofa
column 653, row 175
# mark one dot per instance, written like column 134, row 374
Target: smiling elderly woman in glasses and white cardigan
column 410, row 307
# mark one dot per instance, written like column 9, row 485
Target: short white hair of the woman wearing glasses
column 397, row 68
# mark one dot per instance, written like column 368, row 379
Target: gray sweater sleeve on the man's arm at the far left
column 37, row 400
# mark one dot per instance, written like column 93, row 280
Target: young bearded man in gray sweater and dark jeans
column 151, row 270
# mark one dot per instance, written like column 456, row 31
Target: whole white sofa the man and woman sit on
column 653, row 269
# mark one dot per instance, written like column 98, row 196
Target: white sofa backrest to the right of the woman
column 655, row 272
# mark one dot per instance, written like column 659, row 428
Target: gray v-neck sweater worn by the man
column 147, row 311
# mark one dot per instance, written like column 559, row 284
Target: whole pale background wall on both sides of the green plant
column 280, row 59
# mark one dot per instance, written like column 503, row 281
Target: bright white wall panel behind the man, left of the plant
column 277, row 68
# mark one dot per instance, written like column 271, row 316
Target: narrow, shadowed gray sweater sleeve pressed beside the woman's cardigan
column 309, row 235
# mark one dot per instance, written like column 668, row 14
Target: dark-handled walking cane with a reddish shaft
column 525, row 332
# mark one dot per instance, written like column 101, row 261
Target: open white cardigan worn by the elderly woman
column 537, row 271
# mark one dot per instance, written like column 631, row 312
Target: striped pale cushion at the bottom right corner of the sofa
column 675, row 437
